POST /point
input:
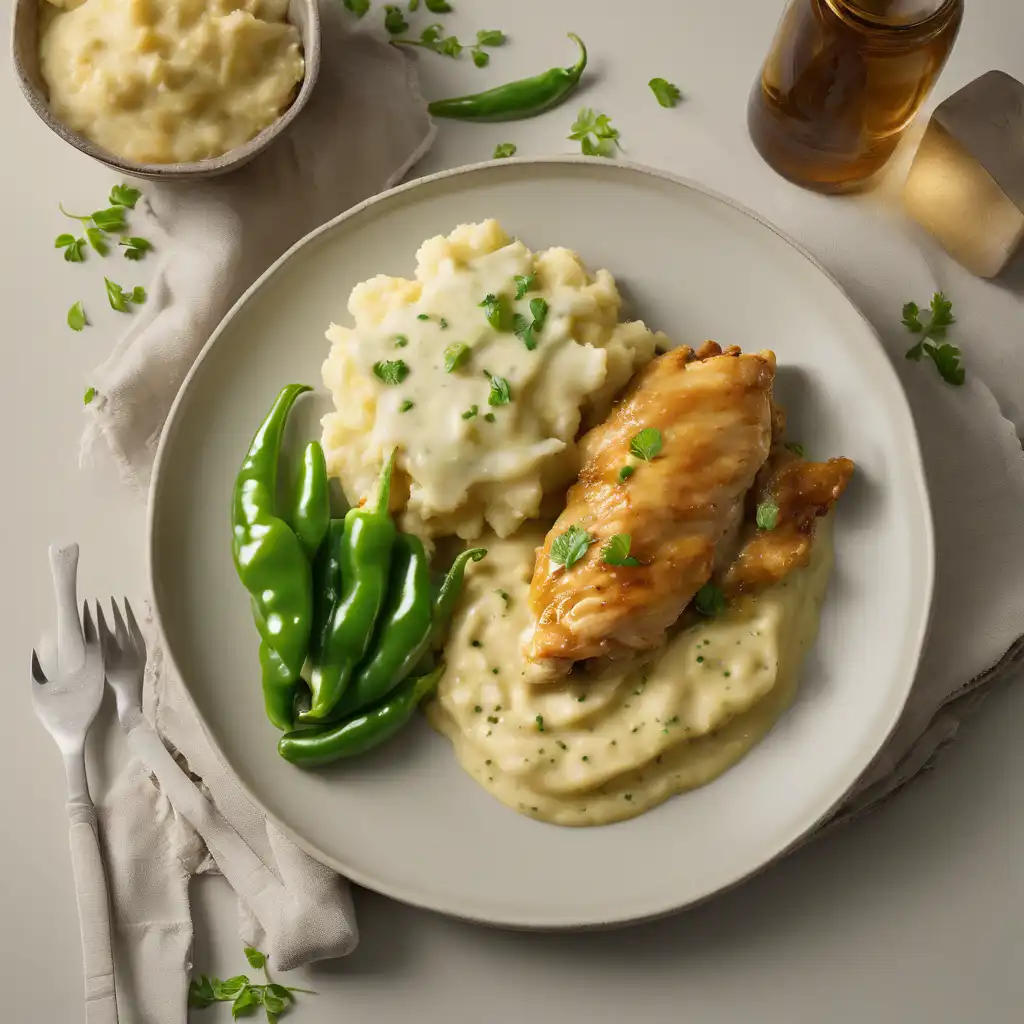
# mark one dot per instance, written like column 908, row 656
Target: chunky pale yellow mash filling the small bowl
column 167, row 81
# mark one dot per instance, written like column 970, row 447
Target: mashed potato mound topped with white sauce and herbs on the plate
column 485, row 419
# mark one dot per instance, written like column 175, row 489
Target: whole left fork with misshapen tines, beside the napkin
column 67, row 706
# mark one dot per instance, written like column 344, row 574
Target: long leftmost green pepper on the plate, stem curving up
column 272, row 565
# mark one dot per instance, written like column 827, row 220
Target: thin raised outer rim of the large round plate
column 926, row 534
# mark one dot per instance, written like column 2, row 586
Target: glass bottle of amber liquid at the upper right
column 842, row 83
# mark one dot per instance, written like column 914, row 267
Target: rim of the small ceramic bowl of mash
column 207, row 167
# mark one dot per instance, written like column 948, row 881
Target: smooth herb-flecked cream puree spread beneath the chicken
column 602, row 748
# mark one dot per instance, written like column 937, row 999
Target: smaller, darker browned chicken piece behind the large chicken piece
column 795, row 494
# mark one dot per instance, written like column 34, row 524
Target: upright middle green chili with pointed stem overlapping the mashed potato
column 365, row 558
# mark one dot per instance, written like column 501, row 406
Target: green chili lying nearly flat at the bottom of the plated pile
column 311, row 748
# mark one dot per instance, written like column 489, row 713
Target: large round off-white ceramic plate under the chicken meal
column 407, row 821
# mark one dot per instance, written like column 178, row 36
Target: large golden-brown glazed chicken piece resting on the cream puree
column 710, row 416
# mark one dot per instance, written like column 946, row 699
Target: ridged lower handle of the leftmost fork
column 94, row 915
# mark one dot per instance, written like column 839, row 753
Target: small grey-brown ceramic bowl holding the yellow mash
column 25, row 46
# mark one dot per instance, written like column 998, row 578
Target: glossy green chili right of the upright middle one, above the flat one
column 403, row 632
